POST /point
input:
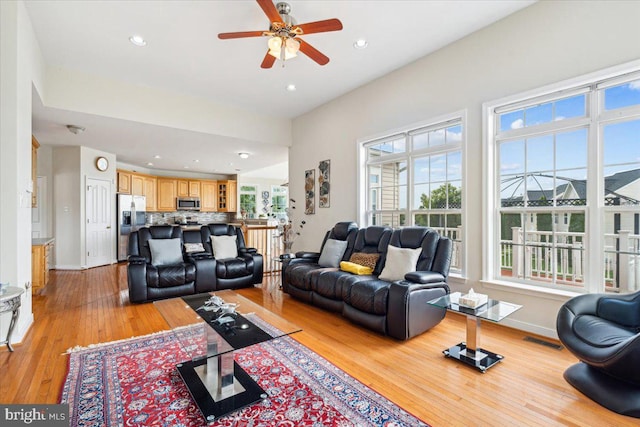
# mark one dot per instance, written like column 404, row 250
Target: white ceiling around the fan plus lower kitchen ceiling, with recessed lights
column 185, row 56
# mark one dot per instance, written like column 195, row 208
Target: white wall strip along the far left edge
column 20, row 68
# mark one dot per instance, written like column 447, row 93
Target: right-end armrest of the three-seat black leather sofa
column 408, row 313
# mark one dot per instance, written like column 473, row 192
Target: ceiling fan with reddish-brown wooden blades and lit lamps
column 284, row 33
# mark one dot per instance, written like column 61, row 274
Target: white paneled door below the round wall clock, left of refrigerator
column 98, row 232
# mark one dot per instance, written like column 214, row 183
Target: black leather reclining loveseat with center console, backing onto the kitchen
column 195, row 272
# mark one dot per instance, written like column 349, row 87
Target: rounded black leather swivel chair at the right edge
column 603, row 332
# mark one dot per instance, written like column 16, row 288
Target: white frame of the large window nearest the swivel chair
column 595, row 120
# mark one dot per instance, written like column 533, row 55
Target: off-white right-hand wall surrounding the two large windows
column 542, row 44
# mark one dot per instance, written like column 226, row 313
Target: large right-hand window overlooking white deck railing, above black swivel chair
column 566, row 174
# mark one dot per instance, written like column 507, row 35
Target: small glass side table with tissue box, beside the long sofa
column 469, row 351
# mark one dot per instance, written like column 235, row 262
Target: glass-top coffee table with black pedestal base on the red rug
column 218, row 384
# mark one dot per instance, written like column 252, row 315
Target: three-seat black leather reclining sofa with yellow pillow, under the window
column 395, row 308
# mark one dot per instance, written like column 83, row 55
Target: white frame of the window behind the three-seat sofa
column 458, row 118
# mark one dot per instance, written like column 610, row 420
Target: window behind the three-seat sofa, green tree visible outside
column 415, row 178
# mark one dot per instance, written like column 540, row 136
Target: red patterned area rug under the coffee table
column 134, row 382
